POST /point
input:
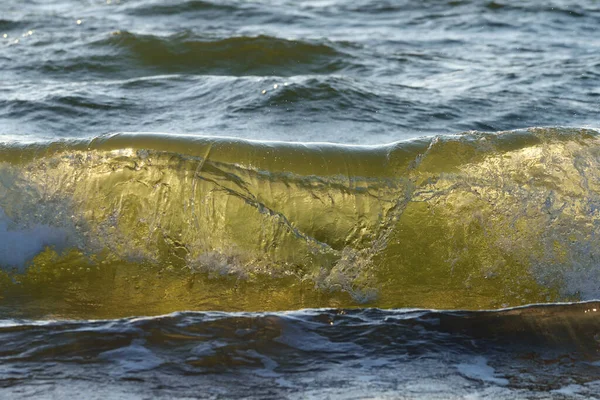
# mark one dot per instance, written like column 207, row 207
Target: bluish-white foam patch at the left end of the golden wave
column 18, row 246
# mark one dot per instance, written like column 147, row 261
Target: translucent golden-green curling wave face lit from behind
column 471, row 221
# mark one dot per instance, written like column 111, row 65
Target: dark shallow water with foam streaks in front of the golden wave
column 536, row 352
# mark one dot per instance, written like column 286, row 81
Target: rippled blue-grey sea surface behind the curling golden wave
column 365, row 72
